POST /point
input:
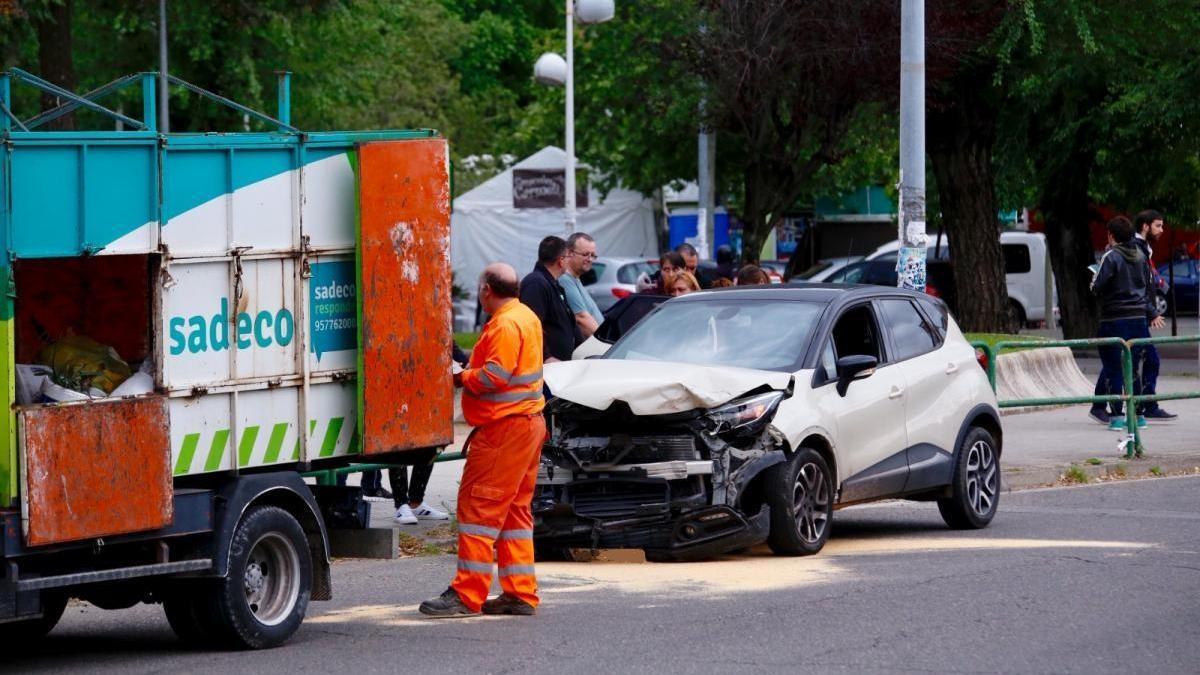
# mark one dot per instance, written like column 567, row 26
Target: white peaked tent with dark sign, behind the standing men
column 485, row 228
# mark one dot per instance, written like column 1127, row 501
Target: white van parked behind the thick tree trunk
column 1025, row 268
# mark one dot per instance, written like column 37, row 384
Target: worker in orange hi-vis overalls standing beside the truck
column 502, row 399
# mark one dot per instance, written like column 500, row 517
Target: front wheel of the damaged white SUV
column 800, row 493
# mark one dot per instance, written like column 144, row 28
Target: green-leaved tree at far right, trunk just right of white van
column 1102, row 110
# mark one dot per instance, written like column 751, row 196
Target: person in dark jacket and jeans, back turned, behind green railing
column 1124, row 285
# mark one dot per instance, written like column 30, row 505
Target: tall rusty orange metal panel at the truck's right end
column 406, row 393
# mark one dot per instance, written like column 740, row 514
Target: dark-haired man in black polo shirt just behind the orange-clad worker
column 543, row 295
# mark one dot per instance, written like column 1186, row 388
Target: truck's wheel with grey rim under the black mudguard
column 266, row 596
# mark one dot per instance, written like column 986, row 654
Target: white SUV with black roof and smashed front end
column 734, row 417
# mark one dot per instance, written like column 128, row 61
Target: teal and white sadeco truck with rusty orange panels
column 271, row 304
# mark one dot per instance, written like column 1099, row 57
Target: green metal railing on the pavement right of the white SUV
column 1132, row 444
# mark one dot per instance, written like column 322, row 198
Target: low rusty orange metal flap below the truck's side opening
column 95, row 470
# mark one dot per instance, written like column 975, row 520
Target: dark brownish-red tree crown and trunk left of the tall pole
column 785, row 100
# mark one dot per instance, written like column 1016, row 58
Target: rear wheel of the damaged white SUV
column 975, row 493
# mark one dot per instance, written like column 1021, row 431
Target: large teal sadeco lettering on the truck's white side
column 213, row 334
